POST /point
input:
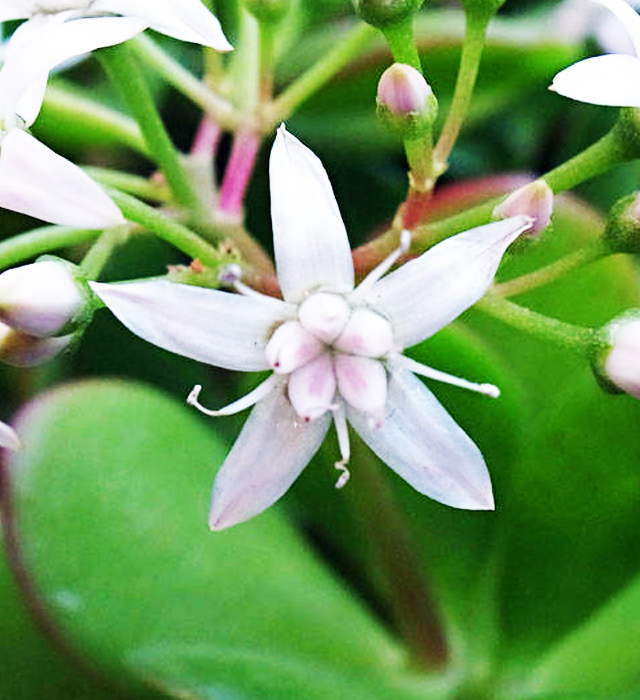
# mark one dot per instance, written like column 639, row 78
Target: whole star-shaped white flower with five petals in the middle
column 334, row 350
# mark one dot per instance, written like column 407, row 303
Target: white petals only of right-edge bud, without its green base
column 622, row 363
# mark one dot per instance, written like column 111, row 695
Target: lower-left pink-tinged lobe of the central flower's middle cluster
column 312, row 388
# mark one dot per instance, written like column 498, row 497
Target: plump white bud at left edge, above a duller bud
column 41, row 299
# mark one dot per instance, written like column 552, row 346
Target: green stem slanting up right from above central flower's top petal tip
column 344, row 51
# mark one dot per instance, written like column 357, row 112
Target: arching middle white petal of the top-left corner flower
column 54, row 41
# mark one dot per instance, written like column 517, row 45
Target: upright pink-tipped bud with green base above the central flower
column 406, row 104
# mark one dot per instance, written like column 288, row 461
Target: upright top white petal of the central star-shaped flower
column 309, row 237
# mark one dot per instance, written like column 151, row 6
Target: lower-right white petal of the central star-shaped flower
column 426, row 447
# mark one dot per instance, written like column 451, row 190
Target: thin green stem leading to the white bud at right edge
column 566, row 335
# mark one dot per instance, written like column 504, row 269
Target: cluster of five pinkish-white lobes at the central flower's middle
column 332, row 352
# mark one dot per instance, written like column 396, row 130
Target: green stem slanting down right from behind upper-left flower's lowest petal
column 174, row 233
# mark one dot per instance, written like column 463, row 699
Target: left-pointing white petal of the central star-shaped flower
column 219, row 328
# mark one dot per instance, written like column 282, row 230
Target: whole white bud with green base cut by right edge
column 617, row 361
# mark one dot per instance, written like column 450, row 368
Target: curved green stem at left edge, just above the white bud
column 31, row 244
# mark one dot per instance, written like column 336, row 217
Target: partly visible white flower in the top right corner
column 613, row 79
